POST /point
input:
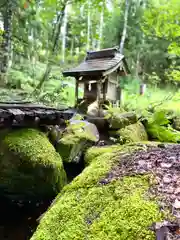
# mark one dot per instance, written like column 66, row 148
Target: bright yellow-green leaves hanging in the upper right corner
column 160, row 21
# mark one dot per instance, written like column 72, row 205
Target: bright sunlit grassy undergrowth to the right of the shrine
column 154, row 98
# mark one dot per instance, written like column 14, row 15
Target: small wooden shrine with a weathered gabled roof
column 99, row 76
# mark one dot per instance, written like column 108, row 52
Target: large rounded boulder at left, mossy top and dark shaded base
column 30, row 168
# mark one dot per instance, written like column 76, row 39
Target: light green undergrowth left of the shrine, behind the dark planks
column 57, row 91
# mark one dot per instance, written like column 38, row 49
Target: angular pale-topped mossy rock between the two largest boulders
column 78, row 136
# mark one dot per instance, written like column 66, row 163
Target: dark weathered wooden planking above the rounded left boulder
column 15, row 114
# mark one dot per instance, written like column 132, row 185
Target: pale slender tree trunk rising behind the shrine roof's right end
column 123, row 38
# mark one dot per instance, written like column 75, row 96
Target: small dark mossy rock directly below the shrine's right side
column 118, row 121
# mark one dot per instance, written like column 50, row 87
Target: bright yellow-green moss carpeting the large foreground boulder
column 85, row 209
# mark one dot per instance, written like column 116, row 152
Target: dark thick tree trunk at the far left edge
column 6, row 43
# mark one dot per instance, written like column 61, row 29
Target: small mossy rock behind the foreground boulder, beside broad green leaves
column 133, row 133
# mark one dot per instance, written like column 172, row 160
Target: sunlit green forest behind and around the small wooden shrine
column 41, row 38
